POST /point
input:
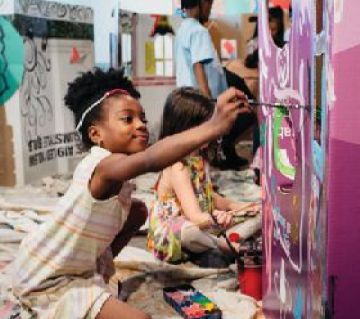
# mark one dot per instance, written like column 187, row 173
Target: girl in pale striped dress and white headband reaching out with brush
column 56, row 273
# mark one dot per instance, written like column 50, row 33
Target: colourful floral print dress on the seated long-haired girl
column 166, row 215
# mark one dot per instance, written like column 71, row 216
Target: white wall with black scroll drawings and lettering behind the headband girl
column 37, row 113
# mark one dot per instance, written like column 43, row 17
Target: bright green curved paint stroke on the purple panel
column 284, row 169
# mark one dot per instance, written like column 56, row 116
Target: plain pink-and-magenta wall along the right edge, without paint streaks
column 344, row 164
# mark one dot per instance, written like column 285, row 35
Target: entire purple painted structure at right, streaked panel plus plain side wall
column 311, row 200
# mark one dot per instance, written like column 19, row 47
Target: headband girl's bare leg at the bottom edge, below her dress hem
column 116, row 309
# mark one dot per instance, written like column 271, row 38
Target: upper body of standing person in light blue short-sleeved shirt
column 197, row 62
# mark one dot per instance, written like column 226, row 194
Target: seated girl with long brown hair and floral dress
column 180, row 217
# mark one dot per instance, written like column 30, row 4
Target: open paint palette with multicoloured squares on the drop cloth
column 191, row 303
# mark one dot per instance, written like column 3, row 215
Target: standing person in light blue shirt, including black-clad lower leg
column 198, row 66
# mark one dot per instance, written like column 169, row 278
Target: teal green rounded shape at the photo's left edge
column 11, row 60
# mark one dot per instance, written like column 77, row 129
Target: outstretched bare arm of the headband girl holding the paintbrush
column 117, row 168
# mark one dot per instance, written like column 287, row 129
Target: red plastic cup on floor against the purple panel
column 250, row 281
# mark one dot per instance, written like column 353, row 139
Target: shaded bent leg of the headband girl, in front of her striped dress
column 137, row 217
